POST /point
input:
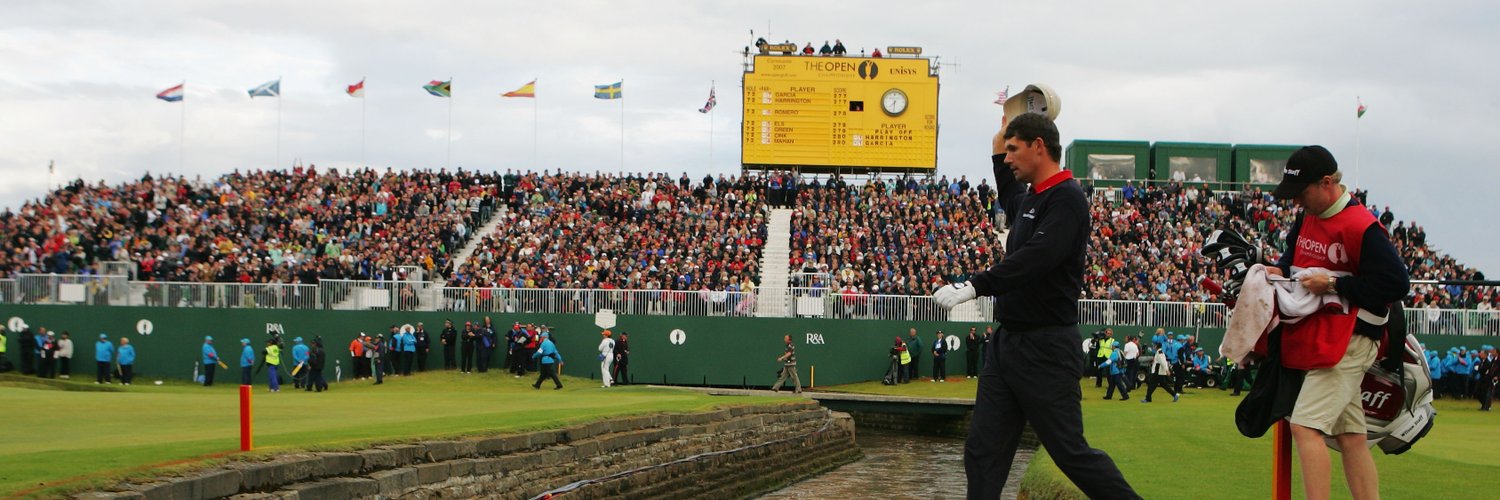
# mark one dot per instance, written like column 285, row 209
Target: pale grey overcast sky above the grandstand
column 77, row 85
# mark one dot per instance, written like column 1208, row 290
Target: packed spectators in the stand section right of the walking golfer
column 1147, row 239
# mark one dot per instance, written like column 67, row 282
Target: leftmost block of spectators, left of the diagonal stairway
column 254, row 227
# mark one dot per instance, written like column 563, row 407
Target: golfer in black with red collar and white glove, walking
column 1034, row 364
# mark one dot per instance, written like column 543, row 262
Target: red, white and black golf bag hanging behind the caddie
column 1397, row 393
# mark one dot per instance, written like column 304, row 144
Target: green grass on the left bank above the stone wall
column 65, row 436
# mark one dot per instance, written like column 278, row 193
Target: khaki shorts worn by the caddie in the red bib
column 1331, row 397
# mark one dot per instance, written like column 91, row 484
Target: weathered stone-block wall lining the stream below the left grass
column 734, row 453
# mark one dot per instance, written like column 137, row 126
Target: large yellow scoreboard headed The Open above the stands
column 841, row 112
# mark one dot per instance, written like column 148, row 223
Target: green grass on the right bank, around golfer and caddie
column 1192, row 450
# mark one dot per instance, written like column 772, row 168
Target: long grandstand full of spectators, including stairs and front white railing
column 563, row 242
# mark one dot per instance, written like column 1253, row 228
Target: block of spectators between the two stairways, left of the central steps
column 607, row 232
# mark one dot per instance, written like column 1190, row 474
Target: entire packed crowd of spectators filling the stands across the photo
column 901, row 236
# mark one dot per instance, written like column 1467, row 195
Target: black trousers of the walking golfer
column 1033, row 376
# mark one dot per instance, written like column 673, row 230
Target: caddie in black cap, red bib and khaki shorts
column 1340, row 250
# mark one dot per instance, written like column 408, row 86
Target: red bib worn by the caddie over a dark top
column 1321, row 340
